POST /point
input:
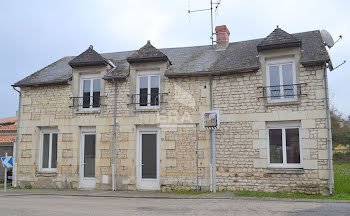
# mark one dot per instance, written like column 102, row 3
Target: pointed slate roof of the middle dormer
column 147, row 53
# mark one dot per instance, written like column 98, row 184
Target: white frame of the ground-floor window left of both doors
column 42, row 132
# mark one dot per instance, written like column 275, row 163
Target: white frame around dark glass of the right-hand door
column 146, row 184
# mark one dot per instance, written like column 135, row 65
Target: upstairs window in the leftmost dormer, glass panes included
column 90, row 92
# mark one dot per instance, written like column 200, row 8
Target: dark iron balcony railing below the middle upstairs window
column 148, row 100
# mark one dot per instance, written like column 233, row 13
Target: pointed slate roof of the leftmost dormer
column 88, row 58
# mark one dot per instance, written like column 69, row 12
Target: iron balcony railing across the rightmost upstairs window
column 282, row 93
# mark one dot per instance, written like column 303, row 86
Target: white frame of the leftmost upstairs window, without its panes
column 90, row 77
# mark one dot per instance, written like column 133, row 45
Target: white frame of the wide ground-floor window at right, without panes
column 284, row 126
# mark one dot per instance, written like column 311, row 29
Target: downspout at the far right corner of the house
column 329, row 134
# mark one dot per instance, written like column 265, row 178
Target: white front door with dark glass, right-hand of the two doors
column 148, row 160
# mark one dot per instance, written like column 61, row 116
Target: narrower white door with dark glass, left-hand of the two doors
column 87, row 159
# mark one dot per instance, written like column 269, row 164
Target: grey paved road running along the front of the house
column 72, row 205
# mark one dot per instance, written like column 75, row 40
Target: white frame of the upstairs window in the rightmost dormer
column 279, row 62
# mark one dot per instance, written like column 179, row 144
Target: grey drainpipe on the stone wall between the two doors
column 114, row 138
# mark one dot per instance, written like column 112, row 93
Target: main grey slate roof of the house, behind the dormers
column 189, row 61
